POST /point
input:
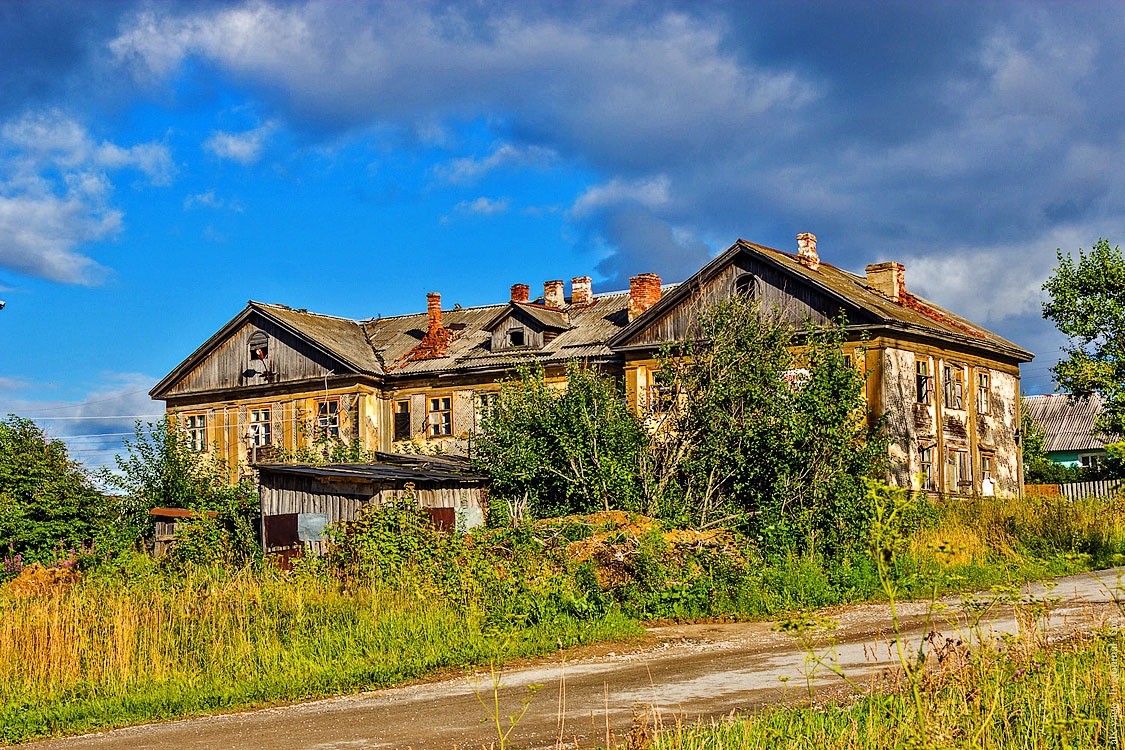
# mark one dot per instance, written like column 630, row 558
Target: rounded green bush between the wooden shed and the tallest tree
column 562, row 449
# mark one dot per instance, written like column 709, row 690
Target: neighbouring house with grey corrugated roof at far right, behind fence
column 1070, row 436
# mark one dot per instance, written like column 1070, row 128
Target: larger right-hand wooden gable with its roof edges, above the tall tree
column 776, row 288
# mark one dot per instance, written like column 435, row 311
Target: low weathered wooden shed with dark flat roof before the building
column 300, row 501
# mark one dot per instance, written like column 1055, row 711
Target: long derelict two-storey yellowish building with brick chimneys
column 276, row 376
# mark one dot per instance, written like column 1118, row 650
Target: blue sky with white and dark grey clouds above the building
column 163, row 164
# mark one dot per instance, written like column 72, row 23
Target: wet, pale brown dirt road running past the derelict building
column 694, row 671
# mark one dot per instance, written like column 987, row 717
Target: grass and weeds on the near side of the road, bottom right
column 1016, row 699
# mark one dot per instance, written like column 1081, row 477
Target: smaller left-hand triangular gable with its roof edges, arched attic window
column 227, row 362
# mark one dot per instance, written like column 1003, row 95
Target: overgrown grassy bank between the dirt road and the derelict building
column 122, row 648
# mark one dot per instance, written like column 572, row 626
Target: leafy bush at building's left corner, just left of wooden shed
column 161, row 469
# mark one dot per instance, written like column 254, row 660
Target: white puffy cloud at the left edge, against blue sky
column 56, row 195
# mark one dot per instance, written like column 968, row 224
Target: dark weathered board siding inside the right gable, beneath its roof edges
column 794, row 301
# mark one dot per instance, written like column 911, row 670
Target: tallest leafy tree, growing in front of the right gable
column 762, row 423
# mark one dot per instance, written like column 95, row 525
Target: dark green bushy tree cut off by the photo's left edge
column 46, row 498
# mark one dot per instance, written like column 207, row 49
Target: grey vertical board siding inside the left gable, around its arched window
column 229, row 366
